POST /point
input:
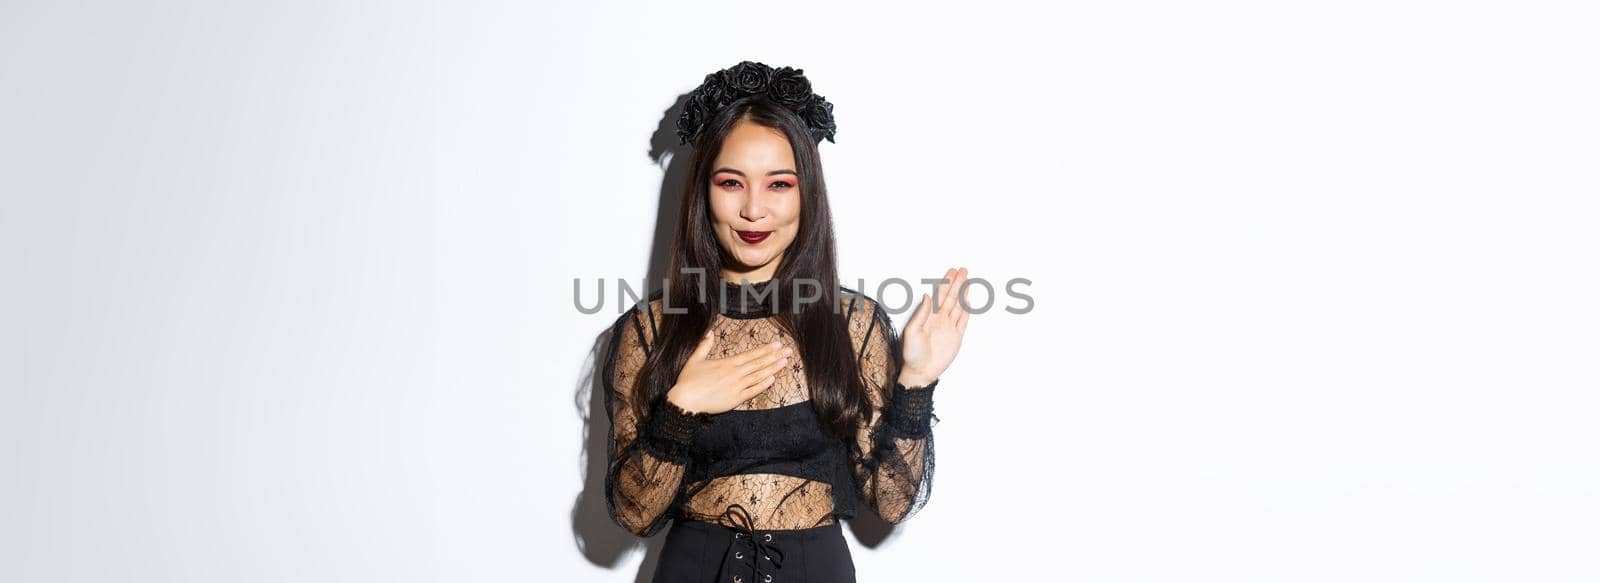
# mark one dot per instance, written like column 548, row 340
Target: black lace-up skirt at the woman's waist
column 700, row 552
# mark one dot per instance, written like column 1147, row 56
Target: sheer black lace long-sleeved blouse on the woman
column 769, row 456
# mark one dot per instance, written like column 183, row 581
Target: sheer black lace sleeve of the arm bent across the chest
column 649, row 452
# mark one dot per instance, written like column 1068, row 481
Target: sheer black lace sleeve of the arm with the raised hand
column 895, row 478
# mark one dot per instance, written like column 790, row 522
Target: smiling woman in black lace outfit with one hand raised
column 758, row 416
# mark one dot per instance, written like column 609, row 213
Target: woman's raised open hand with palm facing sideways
column 934, row 337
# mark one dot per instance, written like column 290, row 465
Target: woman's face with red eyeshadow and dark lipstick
column 754, row 201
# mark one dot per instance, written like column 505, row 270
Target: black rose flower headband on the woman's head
column 785, row 87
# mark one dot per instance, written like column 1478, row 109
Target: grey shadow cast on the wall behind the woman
column 596, row 534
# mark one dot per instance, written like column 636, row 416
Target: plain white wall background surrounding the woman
column 289, row 286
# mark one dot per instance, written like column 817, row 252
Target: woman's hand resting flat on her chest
column 719, row 385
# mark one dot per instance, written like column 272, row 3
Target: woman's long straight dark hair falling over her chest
column 839, row 393
